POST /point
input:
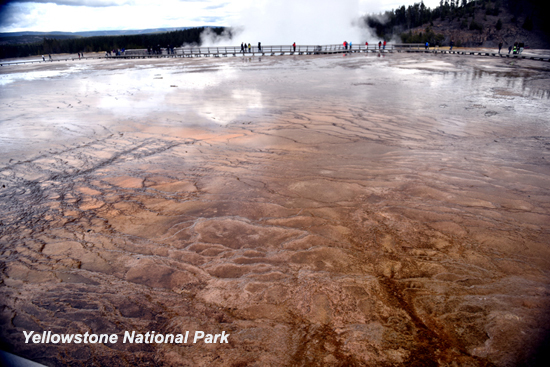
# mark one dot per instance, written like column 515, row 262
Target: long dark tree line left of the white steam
column 106, row 43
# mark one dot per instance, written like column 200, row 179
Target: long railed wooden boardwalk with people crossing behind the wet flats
column 231, row 51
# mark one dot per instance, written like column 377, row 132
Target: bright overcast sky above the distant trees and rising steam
column 90, row 15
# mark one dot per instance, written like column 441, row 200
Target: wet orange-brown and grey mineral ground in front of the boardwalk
column 358, row 210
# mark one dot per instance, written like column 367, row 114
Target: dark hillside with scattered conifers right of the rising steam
column 482, row 23
